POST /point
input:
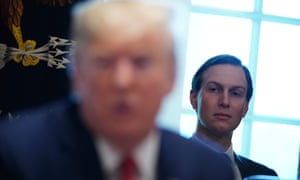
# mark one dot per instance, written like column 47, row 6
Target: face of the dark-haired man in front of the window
column 221, row 102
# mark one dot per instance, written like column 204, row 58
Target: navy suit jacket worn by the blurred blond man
column 52, row 143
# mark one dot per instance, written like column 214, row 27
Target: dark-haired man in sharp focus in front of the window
column 220, row 95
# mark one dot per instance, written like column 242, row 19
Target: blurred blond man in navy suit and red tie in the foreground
column 124, row 65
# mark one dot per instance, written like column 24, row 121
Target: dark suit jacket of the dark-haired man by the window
column 248, row 167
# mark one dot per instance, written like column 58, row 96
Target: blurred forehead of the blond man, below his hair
column 151, row 44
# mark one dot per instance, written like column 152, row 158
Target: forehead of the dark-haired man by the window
column 226, row 75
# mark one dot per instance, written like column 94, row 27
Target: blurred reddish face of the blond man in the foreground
column 122, row 79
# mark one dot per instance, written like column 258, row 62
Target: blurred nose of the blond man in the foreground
column 123, row 74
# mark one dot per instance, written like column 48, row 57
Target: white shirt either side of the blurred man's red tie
column 145, row 155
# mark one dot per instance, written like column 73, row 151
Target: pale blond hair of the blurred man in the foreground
column 115, row 17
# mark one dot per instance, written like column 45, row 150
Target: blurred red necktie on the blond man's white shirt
column 128, row 168
